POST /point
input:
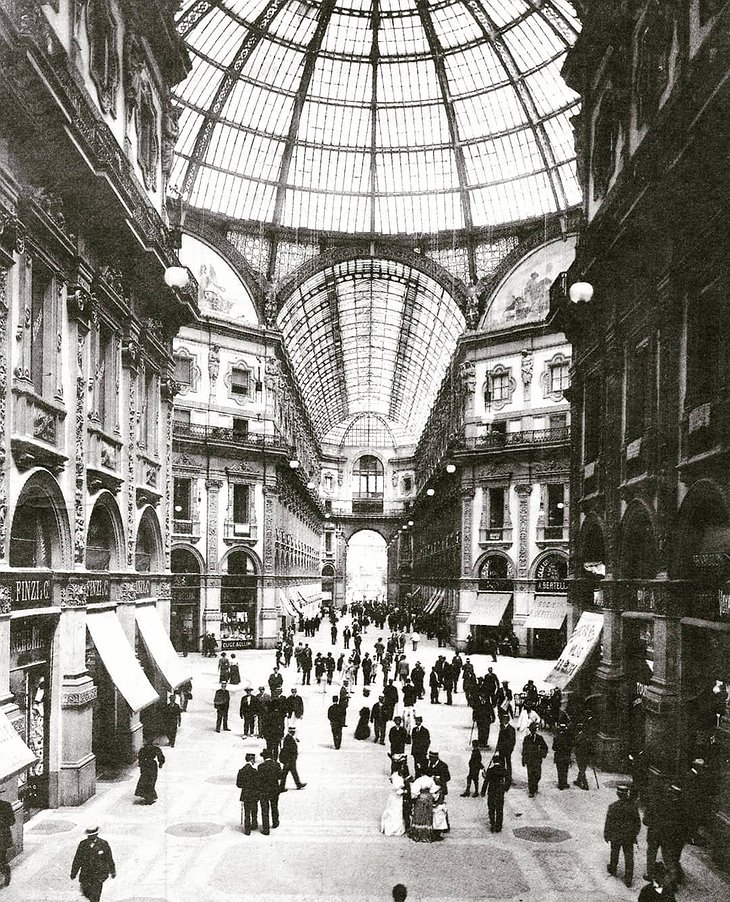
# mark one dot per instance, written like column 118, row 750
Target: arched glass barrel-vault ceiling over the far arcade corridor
column 370, row 336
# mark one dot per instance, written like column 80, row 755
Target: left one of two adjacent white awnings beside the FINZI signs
column 120, row 661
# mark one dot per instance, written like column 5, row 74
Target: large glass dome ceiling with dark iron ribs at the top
column 379, row 116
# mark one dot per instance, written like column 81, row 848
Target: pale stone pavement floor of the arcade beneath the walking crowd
column 189, row 846
